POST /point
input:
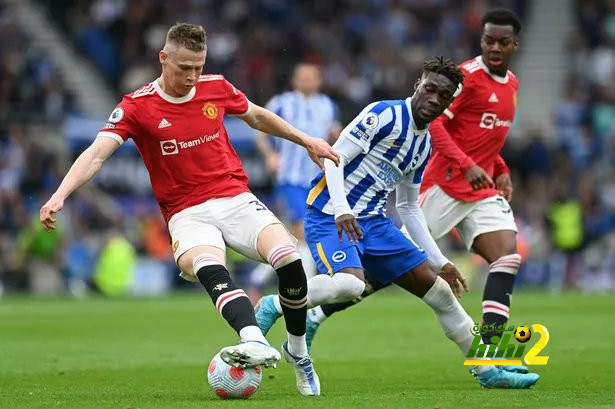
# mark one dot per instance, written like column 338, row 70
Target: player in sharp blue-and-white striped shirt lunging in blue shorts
column 385, row 148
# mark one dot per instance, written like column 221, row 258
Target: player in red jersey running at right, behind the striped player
column 467, row 184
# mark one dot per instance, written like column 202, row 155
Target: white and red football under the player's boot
column 229, row 382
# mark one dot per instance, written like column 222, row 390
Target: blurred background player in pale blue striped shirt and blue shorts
column 317, row 115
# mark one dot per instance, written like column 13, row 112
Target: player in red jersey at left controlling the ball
column 176, row 121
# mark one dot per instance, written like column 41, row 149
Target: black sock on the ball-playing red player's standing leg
column 292, row 288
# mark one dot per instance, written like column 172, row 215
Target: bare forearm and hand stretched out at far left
column 82, row 170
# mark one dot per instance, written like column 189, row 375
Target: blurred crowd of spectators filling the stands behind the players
column 564, row 196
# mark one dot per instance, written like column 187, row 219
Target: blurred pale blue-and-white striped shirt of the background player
column 314, row 115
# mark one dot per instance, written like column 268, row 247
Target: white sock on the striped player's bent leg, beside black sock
column 324, row 289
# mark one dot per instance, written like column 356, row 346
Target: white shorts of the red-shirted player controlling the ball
column 234, row 221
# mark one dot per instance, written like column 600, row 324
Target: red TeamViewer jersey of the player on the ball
column 183, row 141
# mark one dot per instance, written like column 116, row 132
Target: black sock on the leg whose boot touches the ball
column 231, row 301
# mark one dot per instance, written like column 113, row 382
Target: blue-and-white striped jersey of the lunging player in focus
column 392, row 150
